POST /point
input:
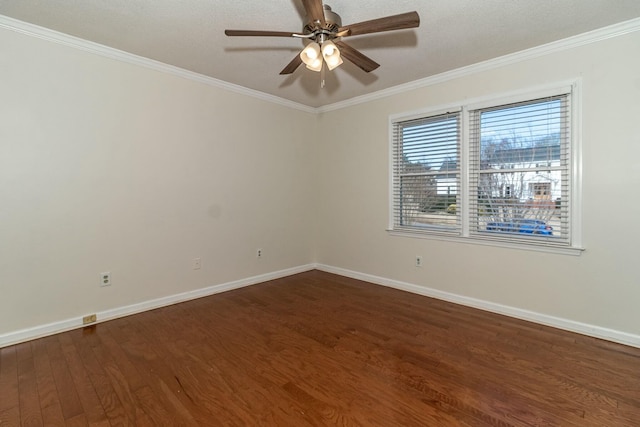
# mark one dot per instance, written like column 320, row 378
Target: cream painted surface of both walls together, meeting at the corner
column 109, row 166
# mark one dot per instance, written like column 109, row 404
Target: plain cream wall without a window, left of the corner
column 109, row 166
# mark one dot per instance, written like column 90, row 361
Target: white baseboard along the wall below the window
column 556, row 322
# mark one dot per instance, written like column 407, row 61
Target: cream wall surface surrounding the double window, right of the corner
column 599, row 288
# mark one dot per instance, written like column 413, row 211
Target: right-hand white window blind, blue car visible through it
column 519, row 171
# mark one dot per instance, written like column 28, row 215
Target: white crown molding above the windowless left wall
column 119, row 55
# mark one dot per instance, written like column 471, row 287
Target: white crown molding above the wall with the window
column 590, row 37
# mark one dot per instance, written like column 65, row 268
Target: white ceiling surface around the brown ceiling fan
column 190, row 34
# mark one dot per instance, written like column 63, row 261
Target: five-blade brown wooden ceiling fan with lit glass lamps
column 324, row 31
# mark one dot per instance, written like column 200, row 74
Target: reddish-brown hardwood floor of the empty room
column 317, row 349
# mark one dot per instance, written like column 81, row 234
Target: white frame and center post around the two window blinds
column 574, row 174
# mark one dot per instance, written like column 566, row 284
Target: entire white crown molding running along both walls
column 594, row 36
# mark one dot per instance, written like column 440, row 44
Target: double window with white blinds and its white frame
column 497, row 172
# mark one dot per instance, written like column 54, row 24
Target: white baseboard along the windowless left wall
column 17, row 337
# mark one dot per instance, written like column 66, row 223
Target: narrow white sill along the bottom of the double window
column 566, row 250
